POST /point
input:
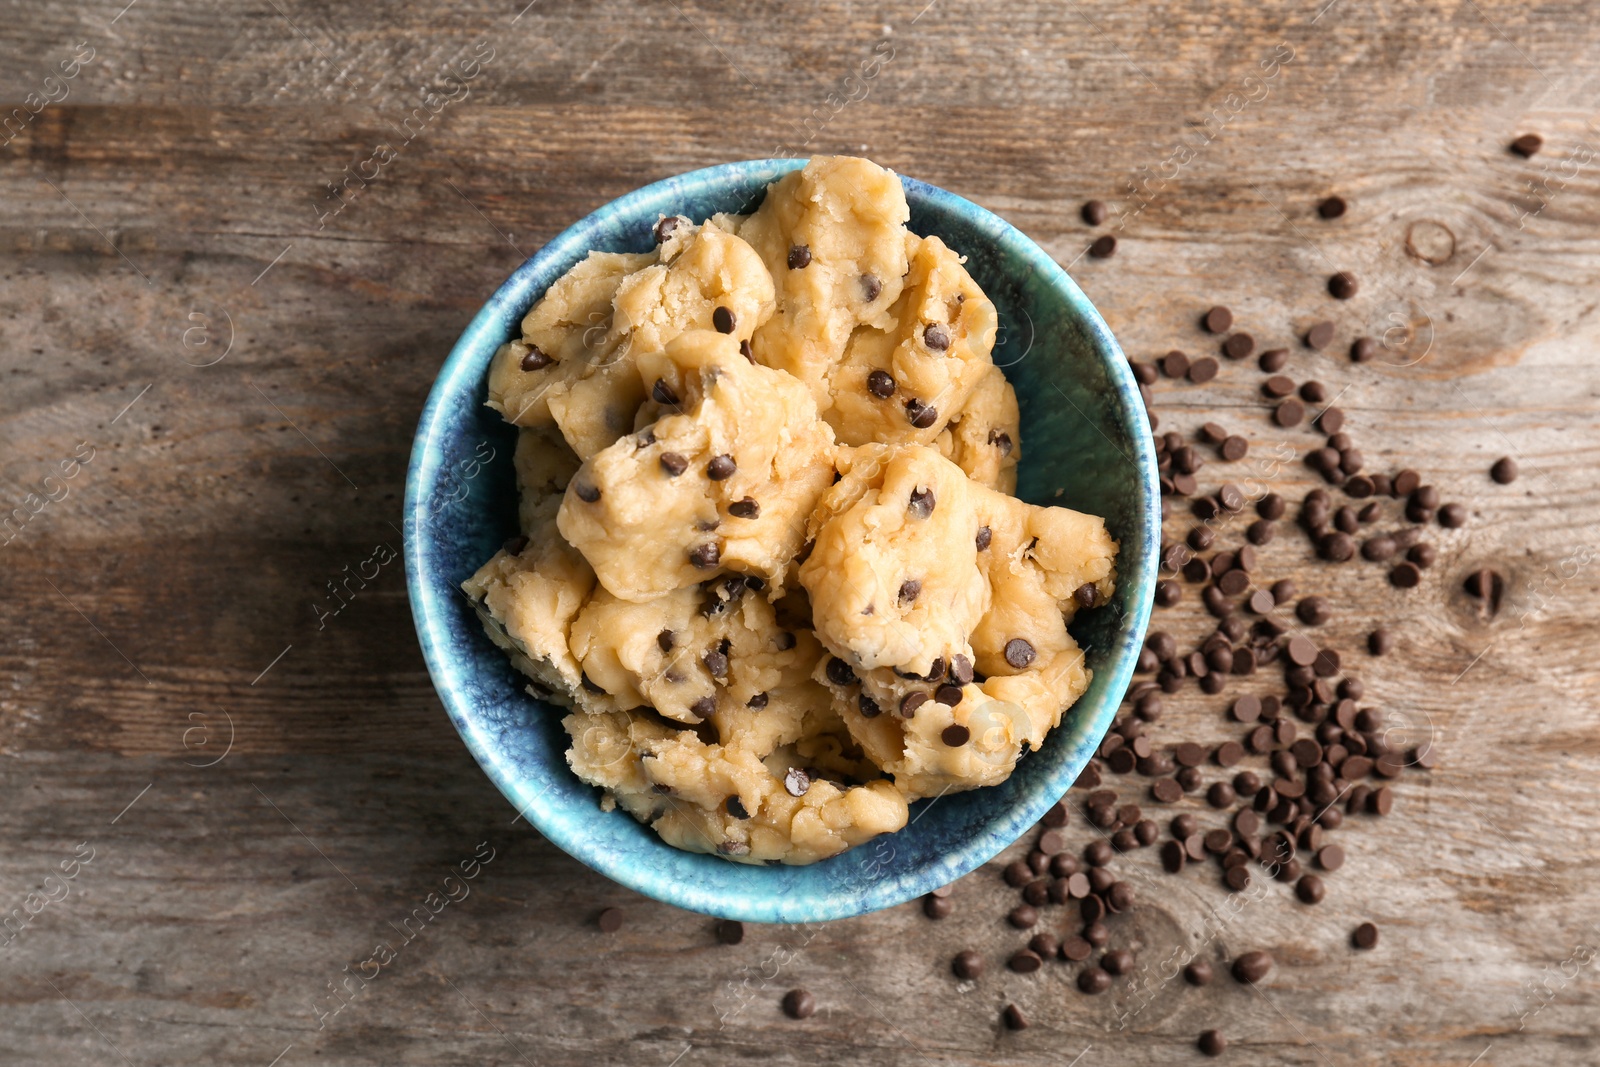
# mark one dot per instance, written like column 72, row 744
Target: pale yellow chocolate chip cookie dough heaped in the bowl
column 770, row 561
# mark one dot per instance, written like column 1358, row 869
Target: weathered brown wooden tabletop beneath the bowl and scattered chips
column 166, row 215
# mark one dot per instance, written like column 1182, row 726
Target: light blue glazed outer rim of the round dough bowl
column 463, row 369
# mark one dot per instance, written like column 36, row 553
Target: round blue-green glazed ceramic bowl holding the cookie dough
column 1086, row 446
